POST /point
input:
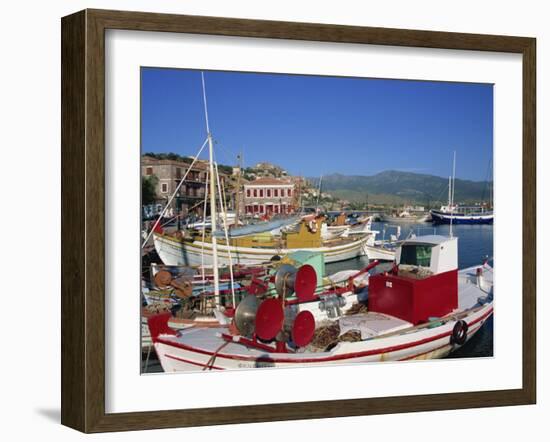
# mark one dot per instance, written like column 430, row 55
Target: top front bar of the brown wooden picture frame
column 307, row 31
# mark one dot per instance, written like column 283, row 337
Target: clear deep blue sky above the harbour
column 312, row 125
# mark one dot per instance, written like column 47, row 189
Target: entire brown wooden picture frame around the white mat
column 83, row 218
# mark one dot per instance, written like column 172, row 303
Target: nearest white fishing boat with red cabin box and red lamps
column 423, row 308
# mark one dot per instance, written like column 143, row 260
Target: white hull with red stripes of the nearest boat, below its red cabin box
column 195, row 349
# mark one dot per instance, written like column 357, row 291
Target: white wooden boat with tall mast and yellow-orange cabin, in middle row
column 225, row 247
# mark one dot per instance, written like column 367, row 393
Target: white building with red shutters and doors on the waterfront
column 267, row 196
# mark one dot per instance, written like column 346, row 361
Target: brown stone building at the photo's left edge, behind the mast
column 169, row 173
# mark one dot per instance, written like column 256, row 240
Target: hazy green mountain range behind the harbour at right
column 396, row 187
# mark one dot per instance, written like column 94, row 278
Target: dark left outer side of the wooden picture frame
column 73, row 256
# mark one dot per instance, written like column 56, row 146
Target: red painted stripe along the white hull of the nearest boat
column 323, row 359
